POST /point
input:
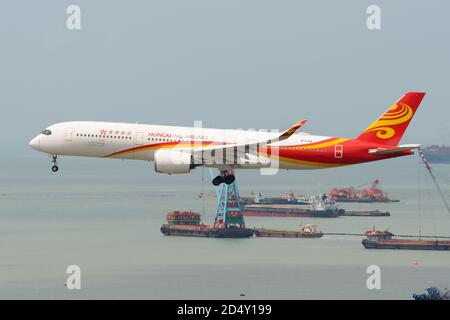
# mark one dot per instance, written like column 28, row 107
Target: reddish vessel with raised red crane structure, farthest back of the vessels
column 367, row 195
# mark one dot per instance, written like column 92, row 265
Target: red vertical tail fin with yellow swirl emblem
column 391, row 126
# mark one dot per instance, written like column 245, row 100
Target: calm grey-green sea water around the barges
column 105, row 215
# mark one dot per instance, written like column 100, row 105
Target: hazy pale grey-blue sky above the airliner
column 232, row 64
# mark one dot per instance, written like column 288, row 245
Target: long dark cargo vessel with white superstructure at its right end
column 320, row 208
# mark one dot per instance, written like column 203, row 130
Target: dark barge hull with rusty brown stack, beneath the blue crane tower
column 188, row 224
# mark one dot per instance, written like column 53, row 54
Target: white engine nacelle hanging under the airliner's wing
column 173, row 162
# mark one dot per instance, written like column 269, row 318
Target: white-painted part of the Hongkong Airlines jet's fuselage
column 141, row 141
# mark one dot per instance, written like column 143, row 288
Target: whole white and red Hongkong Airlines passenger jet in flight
column 177, row 150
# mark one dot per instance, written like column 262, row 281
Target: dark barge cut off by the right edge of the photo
column 385, row 240
